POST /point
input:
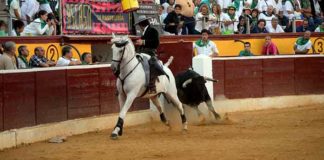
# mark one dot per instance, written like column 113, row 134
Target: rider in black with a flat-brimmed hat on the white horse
column 148, row 44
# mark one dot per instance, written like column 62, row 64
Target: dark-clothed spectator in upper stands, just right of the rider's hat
column 174, row 21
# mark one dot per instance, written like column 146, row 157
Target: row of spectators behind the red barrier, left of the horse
column 9, row 60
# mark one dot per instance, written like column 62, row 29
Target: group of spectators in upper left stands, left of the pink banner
column 30, row 18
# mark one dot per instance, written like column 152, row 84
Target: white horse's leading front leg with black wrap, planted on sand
column 127, row 102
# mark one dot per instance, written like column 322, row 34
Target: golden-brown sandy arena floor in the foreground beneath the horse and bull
column 277, row 134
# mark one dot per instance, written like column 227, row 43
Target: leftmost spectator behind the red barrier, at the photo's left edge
column 8, row 59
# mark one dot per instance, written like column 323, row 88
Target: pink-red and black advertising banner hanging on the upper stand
column 94, row 17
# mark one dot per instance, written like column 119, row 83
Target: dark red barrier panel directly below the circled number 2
column 51, row 99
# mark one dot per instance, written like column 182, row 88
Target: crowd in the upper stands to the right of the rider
column 242, row 16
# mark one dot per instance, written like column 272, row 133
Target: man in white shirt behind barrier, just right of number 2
column 66, row 59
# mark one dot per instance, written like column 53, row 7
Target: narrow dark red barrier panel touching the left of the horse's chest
column 108, row 99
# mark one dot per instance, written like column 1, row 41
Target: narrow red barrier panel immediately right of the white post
column 219, row 74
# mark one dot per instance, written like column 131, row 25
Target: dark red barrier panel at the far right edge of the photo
column 309, row 75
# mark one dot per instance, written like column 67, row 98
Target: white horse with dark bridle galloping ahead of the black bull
column 131, row 83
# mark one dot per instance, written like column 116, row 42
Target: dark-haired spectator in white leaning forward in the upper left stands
column 40, row 26
